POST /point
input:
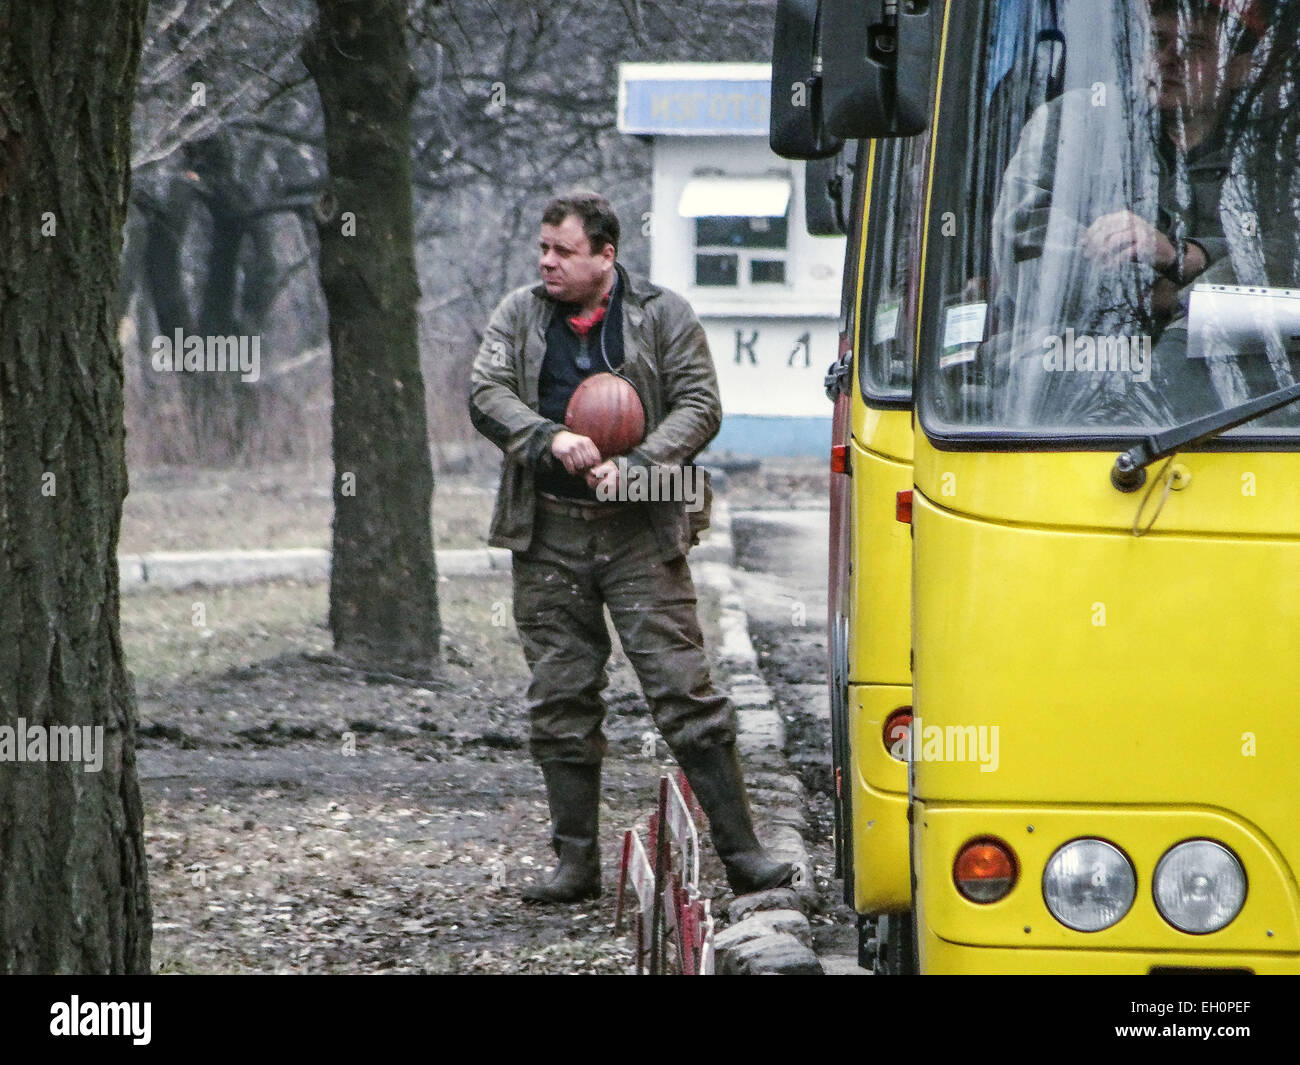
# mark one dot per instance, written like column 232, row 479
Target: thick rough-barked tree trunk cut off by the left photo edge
column 73, row 886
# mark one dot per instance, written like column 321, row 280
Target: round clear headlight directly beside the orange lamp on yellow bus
column 1089, row 885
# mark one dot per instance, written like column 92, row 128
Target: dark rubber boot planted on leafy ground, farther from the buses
column 574, row 793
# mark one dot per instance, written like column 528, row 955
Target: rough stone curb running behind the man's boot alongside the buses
column 770, row 933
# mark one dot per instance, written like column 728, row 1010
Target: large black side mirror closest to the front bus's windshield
column 877, row 71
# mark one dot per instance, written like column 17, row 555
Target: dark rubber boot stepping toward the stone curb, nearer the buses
column 718, row 781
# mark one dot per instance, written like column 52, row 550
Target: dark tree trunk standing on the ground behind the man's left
column 384, row 603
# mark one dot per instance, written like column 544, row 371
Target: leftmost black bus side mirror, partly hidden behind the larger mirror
column 798, row 131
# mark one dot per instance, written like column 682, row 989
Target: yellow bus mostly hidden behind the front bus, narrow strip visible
column 870, row 553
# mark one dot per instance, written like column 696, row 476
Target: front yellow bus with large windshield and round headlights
column 1107, row 464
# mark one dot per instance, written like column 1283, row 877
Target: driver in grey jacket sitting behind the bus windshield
column 1113, row 248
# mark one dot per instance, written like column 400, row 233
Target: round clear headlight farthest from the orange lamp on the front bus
column 1201, row 886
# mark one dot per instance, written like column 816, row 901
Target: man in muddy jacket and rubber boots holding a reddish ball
column 575, row 555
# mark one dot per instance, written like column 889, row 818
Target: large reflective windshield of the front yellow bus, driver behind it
column 1115, row 226
